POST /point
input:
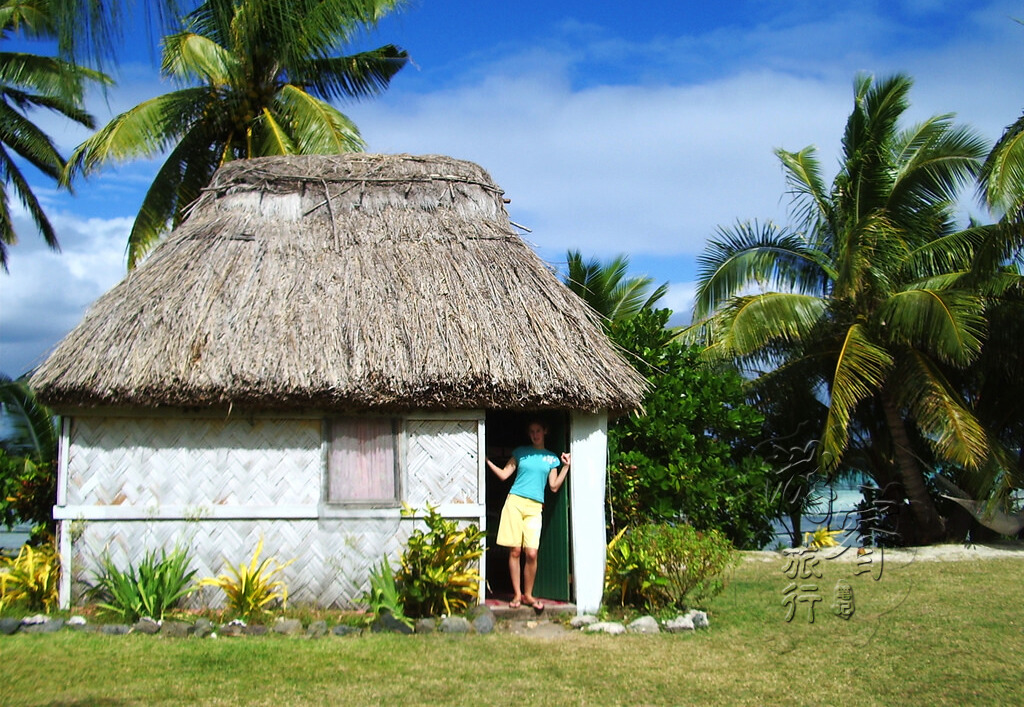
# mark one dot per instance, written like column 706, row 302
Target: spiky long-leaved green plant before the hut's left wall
column 152, row 590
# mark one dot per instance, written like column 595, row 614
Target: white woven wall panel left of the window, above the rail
column 194, row 463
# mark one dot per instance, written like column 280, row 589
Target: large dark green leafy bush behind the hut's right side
column 689, row 460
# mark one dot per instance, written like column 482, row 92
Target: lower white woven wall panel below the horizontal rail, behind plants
column 332, row 558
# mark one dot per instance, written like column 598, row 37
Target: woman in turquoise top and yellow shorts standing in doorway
column 520, row 529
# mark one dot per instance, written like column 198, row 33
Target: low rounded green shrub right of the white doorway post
column 661, row 566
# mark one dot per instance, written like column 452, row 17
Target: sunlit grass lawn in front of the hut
column 925, row 634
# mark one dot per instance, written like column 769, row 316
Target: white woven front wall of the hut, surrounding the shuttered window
column 201, row 465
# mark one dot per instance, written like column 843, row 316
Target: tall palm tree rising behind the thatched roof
column 264, row 73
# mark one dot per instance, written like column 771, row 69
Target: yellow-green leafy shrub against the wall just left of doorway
column 439, row 573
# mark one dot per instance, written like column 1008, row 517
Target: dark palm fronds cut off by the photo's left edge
column 29, row 82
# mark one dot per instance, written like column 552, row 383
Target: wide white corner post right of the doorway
column 590, row 459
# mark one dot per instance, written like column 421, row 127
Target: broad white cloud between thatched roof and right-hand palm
column 642, row 170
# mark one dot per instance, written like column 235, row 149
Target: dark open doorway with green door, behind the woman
column 505, row 431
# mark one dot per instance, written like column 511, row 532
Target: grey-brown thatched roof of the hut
column 343, row 282
